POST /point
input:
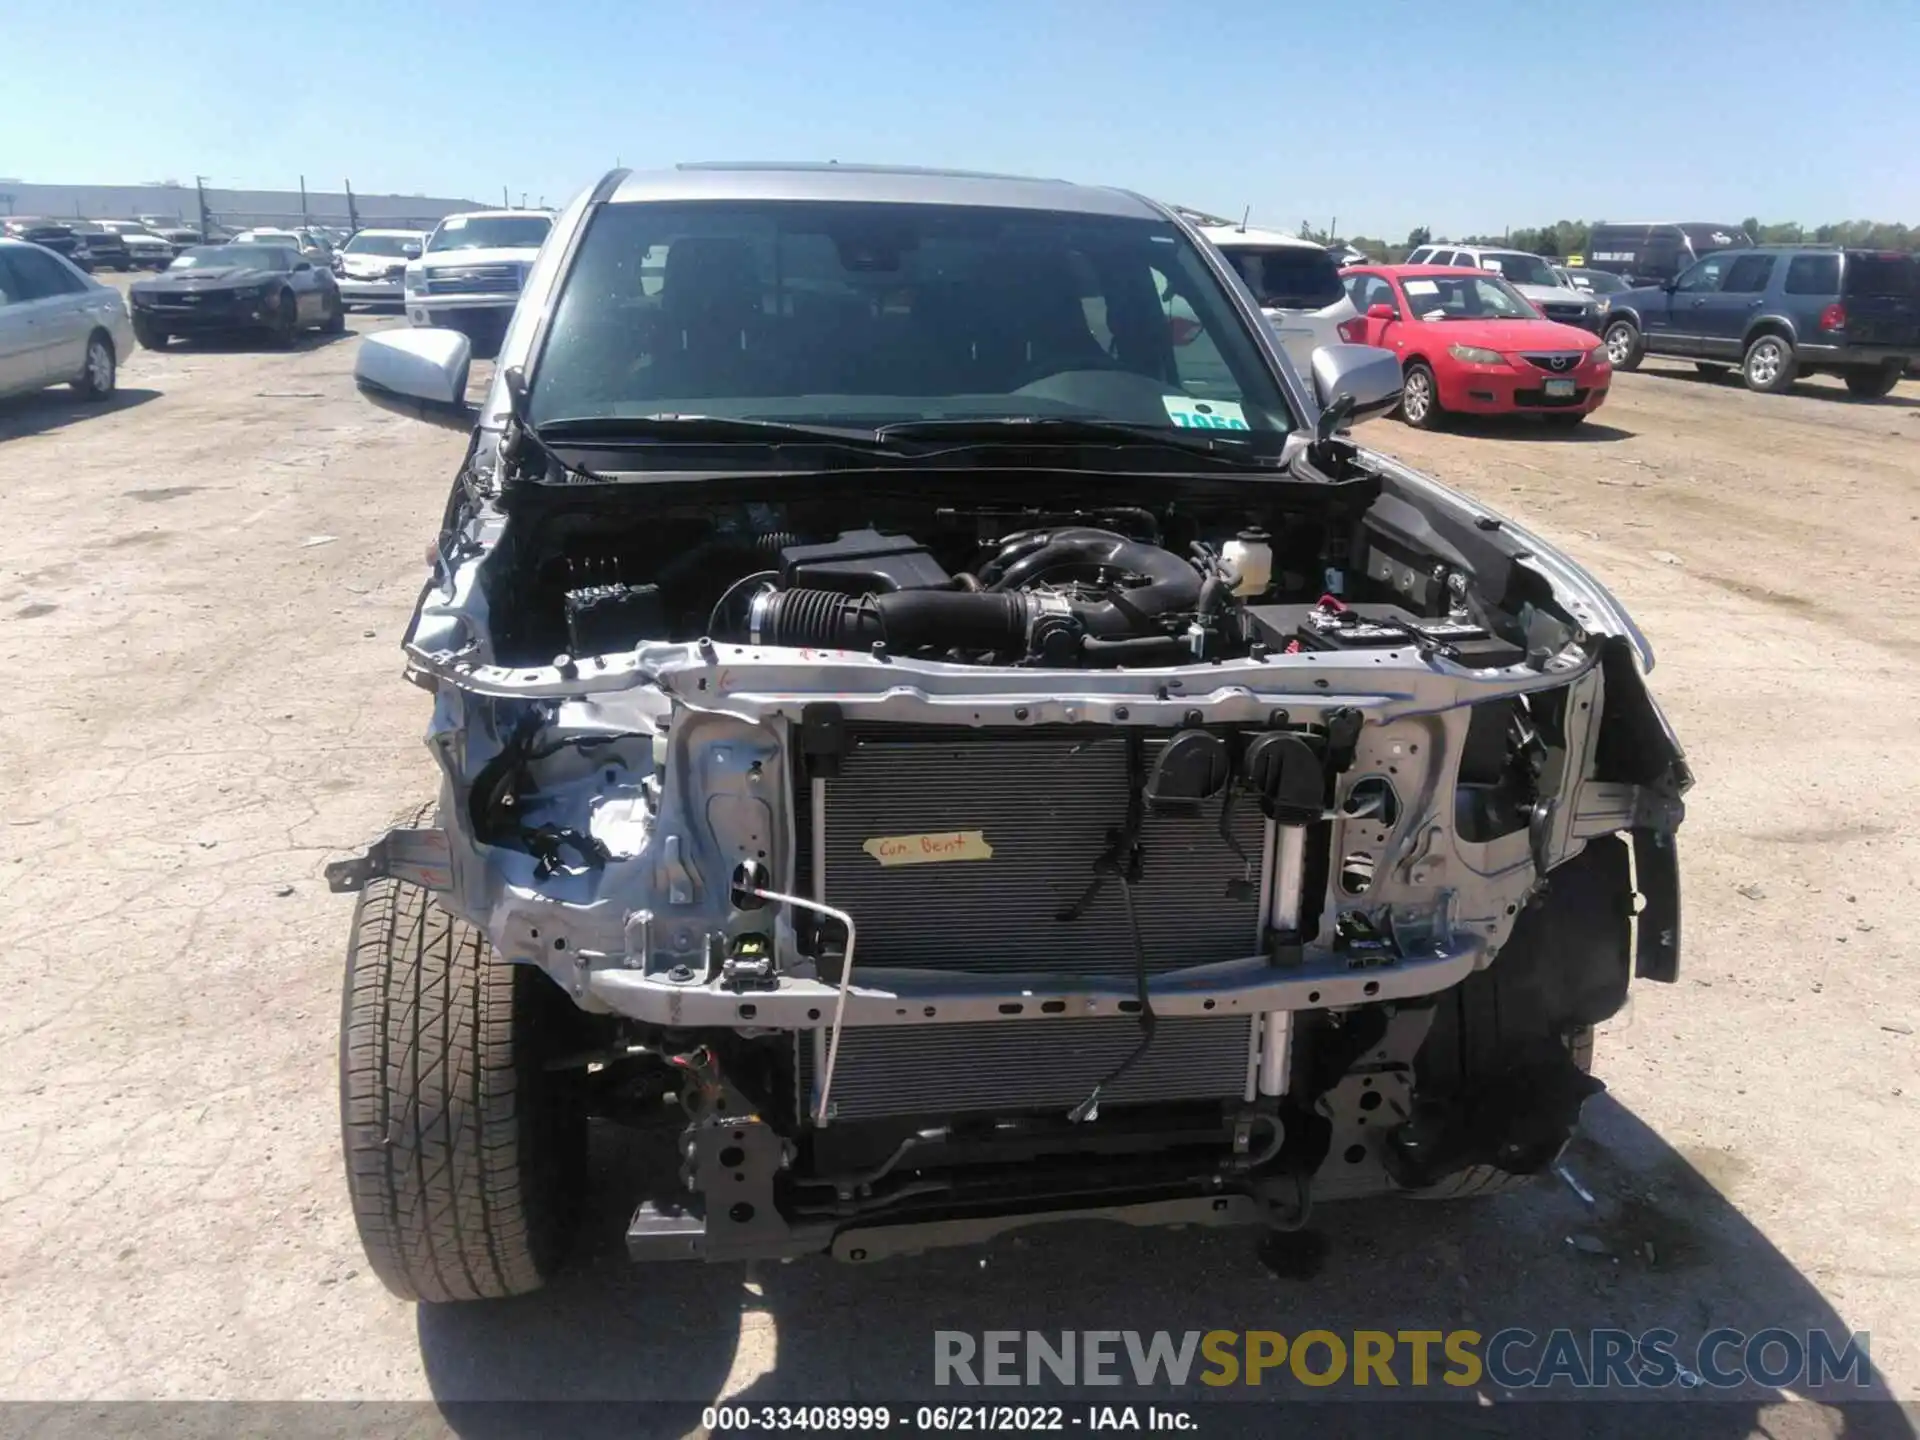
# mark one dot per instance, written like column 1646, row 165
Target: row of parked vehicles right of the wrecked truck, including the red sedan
column 1692, row 291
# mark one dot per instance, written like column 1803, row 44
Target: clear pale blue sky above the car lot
column 1464, row 116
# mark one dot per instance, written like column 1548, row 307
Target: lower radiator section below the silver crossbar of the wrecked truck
column 1001, row 1067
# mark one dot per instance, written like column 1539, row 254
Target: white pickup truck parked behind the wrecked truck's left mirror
column 469, row 277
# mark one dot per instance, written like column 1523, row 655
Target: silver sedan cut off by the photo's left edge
column 59, row 325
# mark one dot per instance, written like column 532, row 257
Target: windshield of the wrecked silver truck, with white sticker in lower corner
column 871, row 314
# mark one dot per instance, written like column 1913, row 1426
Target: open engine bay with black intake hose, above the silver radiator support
column 1092, row 587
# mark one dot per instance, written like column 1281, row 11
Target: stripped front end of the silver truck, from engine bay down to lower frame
column 951, row 852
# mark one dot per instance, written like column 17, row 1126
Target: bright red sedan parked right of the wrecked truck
column 1470, row 345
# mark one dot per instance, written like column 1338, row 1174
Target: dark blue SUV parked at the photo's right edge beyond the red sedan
column 1779, row 314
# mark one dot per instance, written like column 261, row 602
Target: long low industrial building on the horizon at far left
column 235, row 210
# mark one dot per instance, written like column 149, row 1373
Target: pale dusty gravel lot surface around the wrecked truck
column 203, row 592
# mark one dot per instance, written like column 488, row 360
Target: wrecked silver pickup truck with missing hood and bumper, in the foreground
column 936, row 713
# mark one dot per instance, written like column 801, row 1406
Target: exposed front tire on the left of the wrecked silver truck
column 466, row 1157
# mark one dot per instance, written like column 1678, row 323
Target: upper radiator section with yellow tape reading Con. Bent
column 1032, row 813
